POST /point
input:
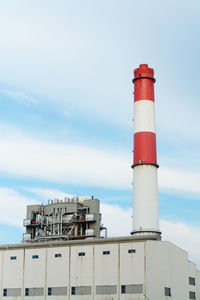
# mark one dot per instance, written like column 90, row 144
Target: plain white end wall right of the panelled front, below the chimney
column 166, row 267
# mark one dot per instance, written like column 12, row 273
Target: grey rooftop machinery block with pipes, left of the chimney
column 68, row 219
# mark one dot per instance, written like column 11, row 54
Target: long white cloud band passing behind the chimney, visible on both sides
column 25, row 156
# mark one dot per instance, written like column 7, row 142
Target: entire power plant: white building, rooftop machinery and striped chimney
column 66, row 254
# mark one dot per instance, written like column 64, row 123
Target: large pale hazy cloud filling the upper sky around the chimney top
column 65, row 60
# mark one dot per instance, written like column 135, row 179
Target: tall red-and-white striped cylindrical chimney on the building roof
column 145, row 187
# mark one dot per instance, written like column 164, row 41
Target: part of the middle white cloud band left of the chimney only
column 71, row 163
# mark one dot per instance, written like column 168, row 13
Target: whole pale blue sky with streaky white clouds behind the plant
column 66, row 109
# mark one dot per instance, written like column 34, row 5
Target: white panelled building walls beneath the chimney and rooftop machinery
column 104, row 271
